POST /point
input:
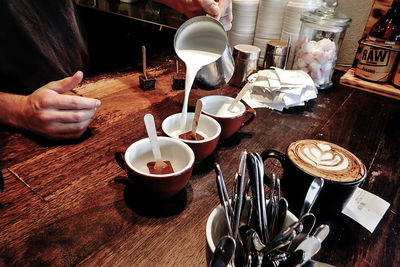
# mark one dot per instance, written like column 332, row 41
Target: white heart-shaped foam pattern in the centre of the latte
column 324, row 158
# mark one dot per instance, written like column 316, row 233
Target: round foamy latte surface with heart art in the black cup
column 326, row 160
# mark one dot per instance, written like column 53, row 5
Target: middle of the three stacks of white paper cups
column 269, row 24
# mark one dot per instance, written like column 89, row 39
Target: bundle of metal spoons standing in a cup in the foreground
column 260, row 238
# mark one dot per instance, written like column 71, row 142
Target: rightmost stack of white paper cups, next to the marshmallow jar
column 292, row 24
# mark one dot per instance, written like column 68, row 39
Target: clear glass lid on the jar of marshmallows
column 327, row 16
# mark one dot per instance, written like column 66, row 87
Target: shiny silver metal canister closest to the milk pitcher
column 246, row 58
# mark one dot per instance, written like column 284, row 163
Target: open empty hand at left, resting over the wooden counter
column 56, row 116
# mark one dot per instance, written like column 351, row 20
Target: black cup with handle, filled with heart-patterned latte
column 306, row 159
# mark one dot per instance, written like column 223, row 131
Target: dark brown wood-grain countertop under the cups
column 93, row 216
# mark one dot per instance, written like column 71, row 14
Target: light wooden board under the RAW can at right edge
column 385, row 89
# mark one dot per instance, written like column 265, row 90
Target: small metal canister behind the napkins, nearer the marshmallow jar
column 275, row 54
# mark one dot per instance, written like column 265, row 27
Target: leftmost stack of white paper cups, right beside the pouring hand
column 244, row 22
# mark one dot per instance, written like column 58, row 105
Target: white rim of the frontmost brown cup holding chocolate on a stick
column 169, row 139
